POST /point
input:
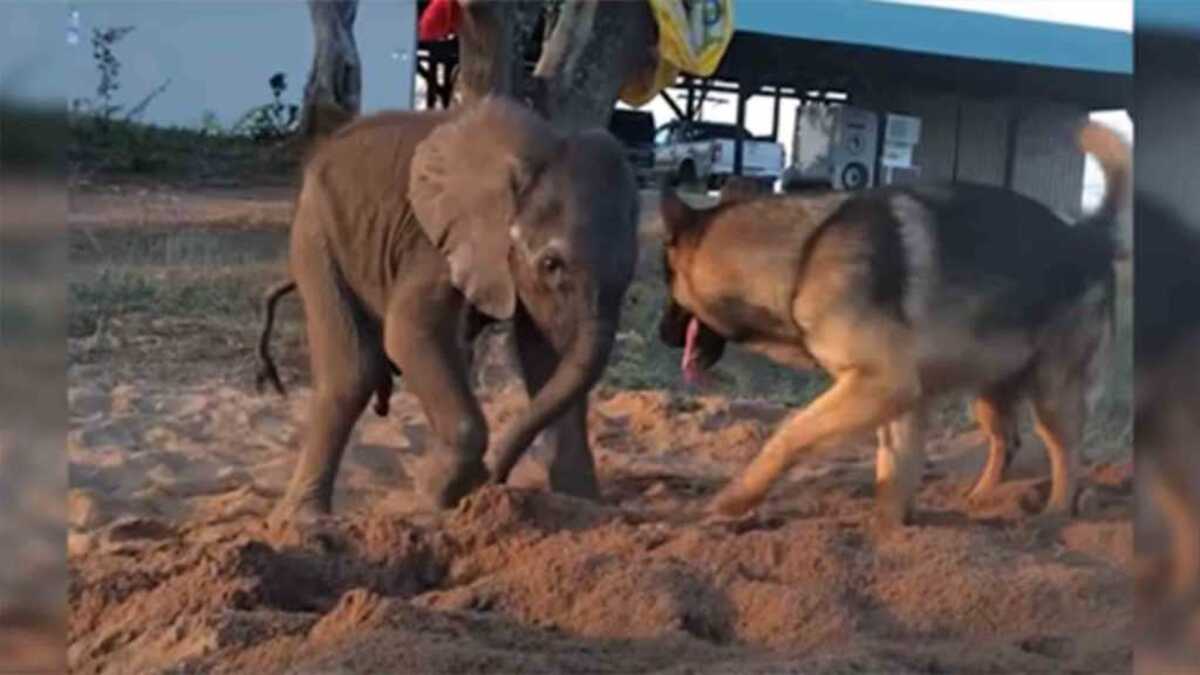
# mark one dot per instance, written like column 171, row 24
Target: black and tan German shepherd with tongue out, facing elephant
column 902, row 295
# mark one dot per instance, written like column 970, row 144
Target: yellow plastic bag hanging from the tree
column 693, row 38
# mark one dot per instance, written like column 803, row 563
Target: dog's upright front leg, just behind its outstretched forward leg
column 898, row 467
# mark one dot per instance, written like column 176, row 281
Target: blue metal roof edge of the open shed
column 950, row 33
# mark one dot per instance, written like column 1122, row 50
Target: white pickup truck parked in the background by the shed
column 700, row 154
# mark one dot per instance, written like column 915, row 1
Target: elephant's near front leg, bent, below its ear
column 423, row 337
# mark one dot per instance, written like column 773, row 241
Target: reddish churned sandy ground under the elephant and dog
column 176, row 461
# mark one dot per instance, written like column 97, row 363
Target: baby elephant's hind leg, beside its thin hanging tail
column 347, row 368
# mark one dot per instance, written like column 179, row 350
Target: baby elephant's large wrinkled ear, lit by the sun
column 465, row 186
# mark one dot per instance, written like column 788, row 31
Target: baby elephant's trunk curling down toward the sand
column 578, row 371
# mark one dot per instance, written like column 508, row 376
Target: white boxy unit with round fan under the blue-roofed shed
column 835, row 145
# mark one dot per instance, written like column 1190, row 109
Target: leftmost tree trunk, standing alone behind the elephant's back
column 335, row 81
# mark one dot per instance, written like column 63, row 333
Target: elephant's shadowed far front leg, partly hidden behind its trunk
column 572, row 467
